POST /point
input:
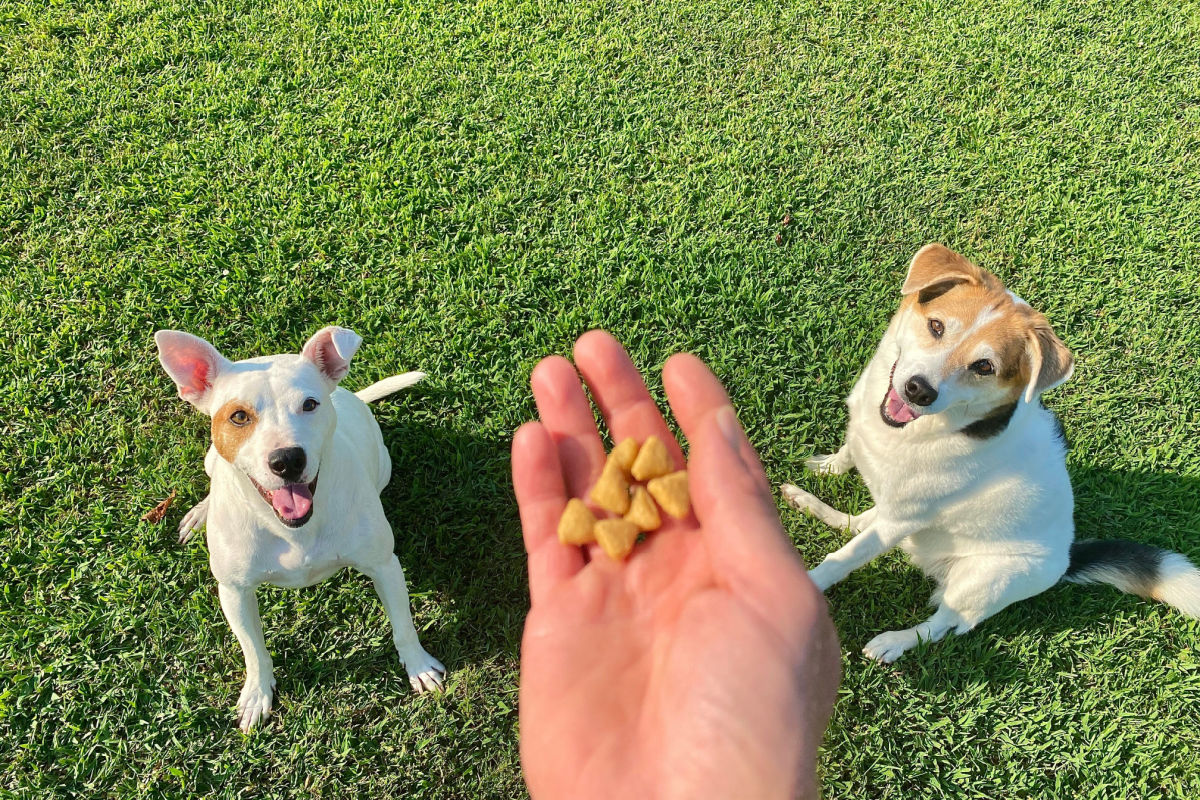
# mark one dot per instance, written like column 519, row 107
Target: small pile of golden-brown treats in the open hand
column 651, row 468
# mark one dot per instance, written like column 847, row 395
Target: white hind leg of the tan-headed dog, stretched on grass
column 974, row 590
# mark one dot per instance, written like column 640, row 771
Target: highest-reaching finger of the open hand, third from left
column 621, row 394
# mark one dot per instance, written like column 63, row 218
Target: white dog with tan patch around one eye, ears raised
column 297, row 466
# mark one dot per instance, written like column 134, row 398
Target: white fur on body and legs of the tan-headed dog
column 989, row 520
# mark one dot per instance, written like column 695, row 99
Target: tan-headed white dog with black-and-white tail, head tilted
column 965, row 465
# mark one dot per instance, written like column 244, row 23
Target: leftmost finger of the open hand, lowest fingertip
column 542, row 496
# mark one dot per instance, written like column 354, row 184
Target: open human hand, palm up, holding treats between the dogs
column 703, row 667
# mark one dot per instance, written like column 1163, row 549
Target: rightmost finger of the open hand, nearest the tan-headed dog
column 730, row 492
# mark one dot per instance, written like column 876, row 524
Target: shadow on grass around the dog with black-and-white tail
column 1153, row 508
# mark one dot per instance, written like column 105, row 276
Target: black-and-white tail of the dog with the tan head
column 1138, row 569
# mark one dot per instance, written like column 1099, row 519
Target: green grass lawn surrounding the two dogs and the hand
column 471, row 187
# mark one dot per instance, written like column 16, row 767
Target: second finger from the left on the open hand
column 566, row 412
